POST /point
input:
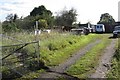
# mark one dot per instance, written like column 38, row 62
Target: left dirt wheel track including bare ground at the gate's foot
column 58, row 71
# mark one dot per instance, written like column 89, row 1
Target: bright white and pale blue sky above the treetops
column 87, row 10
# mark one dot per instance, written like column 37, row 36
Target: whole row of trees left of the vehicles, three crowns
column 43, row 16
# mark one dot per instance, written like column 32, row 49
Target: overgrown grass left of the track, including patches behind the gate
column 55, row 48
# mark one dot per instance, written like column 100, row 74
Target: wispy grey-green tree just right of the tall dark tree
column 66, row 18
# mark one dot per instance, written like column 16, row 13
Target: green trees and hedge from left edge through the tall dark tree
column 41, row 14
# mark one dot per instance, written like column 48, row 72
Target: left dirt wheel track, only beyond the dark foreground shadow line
column 62, row 67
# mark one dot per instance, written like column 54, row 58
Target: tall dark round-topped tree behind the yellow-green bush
column 42, row 13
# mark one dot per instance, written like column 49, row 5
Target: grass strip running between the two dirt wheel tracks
column 86, row 65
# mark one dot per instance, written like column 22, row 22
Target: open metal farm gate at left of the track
column 19, row 59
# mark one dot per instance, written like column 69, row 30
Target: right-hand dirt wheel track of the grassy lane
column 104, row 62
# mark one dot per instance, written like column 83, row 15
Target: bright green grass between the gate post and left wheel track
column 57, row 50
